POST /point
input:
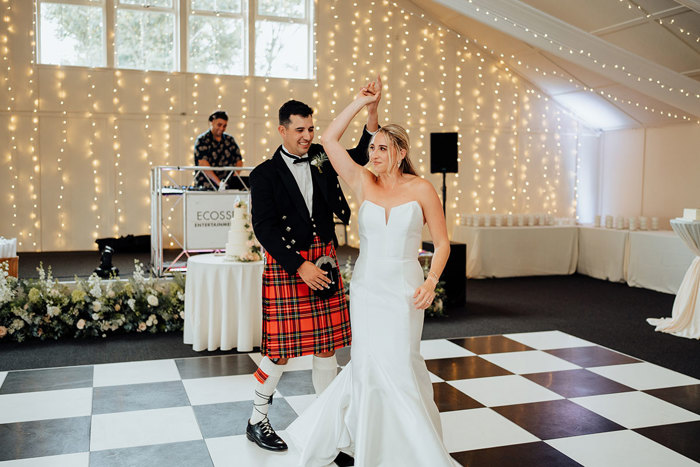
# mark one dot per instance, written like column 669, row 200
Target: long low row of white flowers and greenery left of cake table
column 46, row 309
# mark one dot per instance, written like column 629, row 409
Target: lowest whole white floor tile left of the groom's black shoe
column 143, row 427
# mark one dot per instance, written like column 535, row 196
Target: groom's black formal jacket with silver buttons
column 281, row 219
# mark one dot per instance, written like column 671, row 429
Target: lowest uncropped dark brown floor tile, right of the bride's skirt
column 556, row 419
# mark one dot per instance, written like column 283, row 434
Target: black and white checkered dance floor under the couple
column 529, row 399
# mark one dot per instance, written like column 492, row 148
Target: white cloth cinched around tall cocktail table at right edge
column 685, row 317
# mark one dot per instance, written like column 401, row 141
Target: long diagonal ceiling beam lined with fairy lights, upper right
column 550, row 34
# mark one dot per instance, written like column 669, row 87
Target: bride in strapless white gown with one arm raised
column 380, row 408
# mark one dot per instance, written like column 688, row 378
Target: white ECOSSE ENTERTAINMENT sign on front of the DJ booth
column 208, row 217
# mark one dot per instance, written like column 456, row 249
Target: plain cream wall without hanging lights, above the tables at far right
column 652, row 172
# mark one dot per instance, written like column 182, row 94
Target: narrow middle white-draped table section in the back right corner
column 601, row 253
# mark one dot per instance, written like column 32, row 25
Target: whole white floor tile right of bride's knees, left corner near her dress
column 504, row 390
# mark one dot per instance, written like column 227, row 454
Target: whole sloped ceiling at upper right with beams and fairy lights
column 614, row 63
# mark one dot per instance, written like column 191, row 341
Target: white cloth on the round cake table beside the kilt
column 223, row 304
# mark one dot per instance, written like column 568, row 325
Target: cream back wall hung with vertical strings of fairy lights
column 81, row 141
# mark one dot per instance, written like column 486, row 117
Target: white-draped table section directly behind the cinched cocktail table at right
column 657, row 260
